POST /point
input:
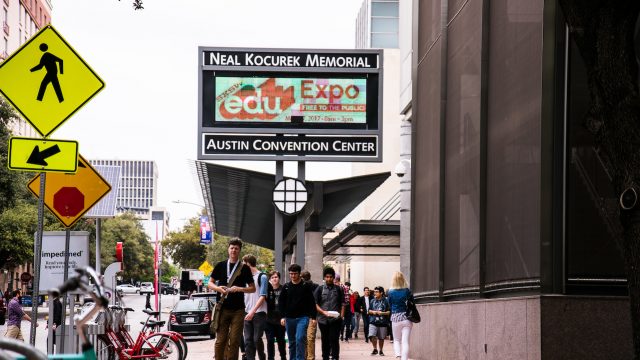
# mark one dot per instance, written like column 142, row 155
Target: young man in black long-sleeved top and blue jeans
column 297, row 306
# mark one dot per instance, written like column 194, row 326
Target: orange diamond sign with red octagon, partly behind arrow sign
column 69, row 196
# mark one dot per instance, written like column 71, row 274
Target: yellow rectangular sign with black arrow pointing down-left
column 43, row 155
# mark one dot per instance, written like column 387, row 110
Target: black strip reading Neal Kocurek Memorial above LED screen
column 290, row 59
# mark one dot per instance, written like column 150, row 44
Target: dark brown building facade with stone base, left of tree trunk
column 512, row 251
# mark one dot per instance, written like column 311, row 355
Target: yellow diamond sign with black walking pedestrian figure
column 47, row 81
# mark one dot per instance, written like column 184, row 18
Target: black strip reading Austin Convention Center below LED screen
column 271, row 147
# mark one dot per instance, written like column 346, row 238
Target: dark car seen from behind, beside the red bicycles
column 191, row 317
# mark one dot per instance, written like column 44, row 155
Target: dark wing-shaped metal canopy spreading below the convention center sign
column 240, row 202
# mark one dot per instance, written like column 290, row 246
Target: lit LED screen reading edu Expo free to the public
column 291, row 100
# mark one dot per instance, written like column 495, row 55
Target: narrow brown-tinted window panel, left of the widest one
column 462, row 163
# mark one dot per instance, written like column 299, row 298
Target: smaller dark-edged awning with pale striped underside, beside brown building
column 366, row 240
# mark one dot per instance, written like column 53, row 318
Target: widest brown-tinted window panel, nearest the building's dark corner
column 513, row 140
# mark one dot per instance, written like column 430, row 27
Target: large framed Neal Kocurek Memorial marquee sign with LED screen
column 289, row 92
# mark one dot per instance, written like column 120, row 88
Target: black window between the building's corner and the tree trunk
column 591, row 252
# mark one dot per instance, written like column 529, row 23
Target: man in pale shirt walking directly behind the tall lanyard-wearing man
column 256, row 309
